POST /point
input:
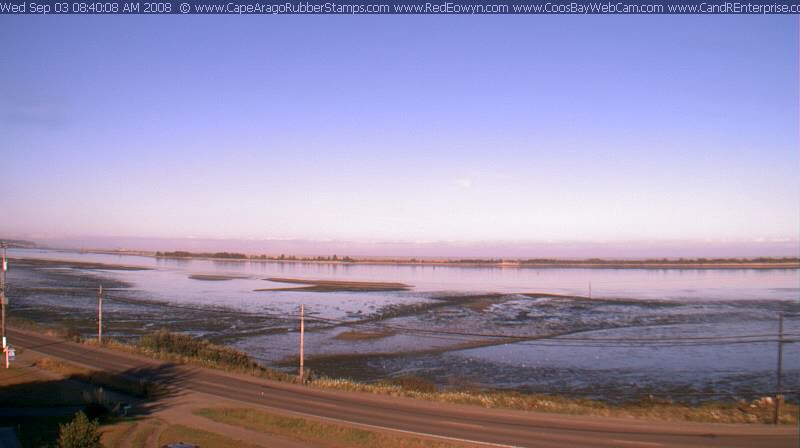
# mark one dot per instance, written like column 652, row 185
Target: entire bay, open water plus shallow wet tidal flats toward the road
column 626, row 303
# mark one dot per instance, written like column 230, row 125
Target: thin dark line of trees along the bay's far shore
column 483, row 261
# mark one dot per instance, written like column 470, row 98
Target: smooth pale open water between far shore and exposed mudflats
column 170, row 277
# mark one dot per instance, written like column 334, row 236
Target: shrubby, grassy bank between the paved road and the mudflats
column 185, row 349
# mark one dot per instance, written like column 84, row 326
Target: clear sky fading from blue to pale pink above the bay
column 384, row 131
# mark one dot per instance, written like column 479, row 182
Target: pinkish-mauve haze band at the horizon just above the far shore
column 497, row 249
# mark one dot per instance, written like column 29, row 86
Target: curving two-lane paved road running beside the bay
column 468, row 423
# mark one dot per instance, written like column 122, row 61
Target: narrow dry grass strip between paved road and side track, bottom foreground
column 314, row 432
